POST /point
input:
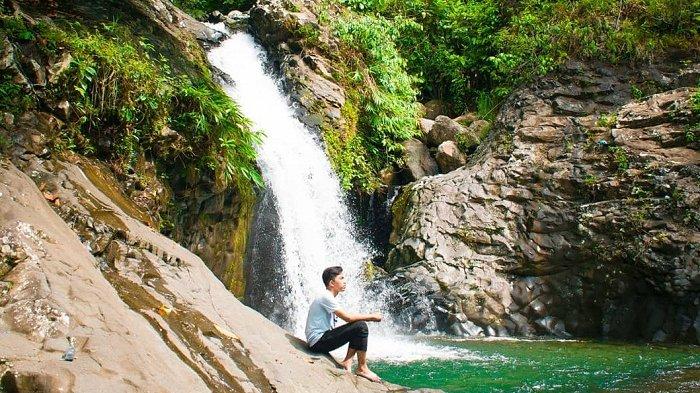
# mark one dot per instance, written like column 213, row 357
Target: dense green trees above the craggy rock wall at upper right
column 460, row 49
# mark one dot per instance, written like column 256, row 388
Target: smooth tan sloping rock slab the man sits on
column 144, row 313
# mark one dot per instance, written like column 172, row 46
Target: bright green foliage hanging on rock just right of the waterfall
column 383, row 102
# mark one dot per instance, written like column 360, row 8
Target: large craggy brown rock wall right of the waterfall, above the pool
column 579, row 216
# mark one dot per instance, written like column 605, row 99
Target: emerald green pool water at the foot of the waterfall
column 550, row 366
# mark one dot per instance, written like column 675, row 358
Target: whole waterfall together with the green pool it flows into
column 307, row 227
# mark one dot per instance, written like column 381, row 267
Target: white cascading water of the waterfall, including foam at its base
column 315, row 223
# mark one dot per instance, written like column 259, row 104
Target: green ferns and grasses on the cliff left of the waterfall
column 124, row 95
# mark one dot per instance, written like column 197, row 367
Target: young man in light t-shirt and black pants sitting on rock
column 323, row 337
